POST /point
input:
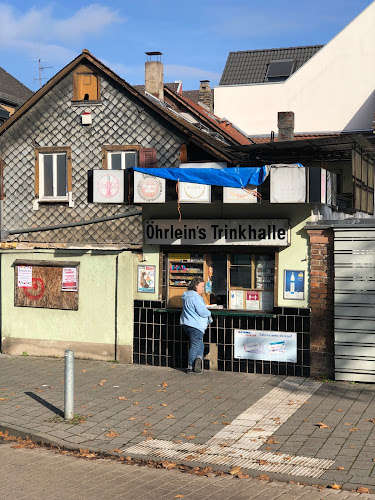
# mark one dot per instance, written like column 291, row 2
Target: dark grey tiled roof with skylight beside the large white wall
column 250, row 66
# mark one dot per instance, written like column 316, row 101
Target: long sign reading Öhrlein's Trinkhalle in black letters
column 265, row 232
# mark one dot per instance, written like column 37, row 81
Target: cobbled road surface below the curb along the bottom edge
column 35, row 474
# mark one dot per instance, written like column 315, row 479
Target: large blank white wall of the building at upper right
column 333, row 91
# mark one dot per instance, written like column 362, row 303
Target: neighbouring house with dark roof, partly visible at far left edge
column 12, row 94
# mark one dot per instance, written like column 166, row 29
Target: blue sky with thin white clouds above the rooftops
column 194, row 36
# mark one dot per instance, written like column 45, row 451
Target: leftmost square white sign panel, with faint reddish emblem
column 108, row 186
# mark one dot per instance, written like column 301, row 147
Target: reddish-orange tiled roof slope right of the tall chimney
column 221, row 126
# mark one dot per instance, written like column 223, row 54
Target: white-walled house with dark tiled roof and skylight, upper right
column 330, row 89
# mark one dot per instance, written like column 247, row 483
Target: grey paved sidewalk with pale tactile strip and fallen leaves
column 259, row 424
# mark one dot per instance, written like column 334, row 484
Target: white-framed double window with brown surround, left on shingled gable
column 53, row 174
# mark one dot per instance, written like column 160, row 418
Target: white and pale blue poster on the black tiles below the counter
column 265, row 345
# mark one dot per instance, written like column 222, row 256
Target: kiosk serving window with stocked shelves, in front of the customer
column 233, row 280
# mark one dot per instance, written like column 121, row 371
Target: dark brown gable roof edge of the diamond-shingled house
column 200, row 138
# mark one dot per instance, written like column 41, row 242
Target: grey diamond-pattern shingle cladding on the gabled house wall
column 54, row 121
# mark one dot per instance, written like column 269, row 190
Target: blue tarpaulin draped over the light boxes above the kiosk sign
column 238, row 177
